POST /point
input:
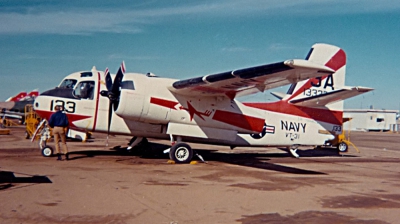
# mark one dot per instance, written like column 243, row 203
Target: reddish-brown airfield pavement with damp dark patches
column 108, row 185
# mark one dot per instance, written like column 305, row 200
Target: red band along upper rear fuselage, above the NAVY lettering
column 323, row 115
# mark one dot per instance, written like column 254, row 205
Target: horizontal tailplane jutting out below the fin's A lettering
column 331, row 97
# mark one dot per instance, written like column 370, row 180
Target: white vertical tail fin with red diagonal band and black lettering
column 330, row 56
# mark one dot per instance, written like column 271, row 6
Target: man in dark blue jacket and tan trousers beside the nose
column 59, row 122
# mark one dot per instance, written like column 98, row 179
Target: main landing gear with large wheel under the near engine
column 181, row 152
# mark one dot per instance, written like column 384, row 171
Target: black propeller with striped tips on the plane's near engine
column 113, row 92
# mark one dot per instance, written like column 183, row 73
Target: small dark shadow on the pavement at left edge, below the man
column 8, row 179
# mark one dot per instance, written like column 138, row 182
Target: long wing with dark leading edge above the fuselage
column 250, row 80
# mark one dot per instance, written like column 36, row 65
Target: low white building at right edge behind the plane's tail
column 371, row 120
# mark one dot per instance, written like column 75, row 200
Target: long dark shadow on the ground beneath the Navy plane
column 254, row 160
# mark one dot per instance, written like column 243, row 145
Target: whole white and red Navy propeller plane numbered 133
column 205, row 110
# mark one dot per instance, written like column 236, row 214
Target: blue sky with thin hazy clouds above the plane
column 43, row 41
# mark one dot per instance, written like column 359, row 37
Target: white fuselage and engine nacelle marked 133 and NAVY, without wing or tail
column 148, row 109
